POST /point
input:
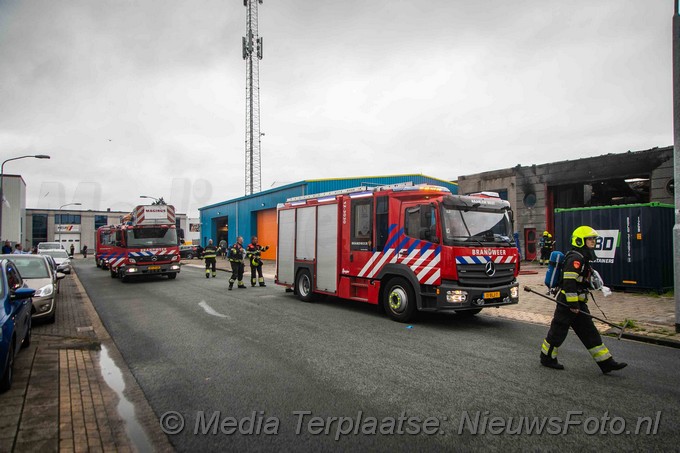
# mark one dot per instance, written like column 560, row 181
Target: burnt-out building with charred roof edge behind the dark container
column 536, row 191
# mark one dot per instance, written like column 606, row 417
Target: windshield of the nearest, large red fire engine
column 463, row 226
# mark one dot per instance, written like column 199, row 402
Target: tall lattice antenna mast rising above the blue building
column 252, row 53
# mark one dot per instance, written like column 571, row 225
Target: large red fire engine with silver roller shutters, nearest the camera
column 411, row 248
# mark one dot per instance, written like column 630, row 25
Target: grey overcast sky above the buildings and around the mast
column 147, row 97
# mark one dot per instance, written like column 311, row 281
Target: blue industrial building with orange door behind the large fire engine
column 255, row 215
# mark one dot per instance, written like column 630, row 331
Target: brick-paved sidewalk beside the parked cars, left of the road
column 60, row 400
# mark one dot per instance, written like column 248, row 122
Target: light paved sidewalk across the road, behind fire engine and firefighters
column 653, row 316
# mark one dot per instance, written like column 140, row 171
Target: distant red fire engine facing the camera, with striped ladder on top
column 144, row 243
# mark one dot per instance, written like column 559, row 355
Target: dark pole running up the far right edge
column 676, row 158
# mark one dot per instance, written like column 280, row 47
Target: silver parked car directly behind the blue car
column 37, row 273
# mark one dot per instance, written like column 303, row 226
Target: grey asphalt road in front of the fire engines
column 259, row 361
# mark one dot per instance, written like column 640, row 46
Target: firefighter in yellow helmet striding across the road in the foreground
column 574, row 293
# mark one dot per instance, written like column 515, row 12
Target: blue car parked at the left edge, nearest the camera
column 15, row 319
